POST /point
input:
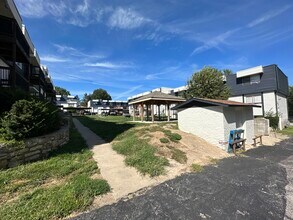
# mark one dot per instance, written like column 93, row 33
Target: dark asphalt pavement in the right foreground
column 255, row 186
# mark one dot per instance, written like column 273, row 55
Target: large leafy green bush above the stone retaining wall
column 29, row 118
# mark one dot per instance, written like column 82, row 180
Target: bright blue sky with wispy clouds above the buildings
column 128, row 47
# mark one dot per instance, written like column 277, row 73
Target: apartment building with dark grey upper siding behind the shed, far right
column 265, row 86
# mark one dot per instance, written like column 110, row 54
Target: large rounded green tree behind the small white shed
column 208, row 83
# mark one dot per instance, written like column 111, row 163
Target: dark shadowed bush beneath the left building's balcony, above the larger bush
column 8, row 97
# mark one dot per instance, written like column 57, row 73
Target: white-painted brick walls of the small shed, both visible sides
column 214, row 123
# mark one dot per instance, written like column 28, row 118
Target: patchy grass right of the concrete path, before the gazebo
column 127, row 140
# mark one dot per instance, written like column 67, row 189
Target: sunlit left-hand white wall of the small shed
column 206, row 123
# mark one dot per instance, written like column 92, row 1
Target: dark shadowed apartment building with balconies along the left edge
column 20, row 65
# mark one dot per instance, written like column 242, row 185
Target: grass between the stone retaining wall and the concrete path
column 52, row 188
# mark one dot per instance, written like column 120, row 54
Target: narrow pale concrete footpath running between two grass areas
column 123, row 180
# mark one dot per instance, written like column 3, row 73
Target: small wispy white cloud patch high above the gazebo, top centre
column 126, row 19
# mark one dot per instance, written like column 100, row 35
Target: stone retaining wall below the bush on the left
column 13, row 154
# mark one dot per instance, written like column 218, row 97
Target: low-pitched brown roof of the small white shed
column 201, row 102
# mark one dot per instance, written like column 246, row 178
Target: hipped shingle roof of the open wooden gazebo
column 157, row 96
